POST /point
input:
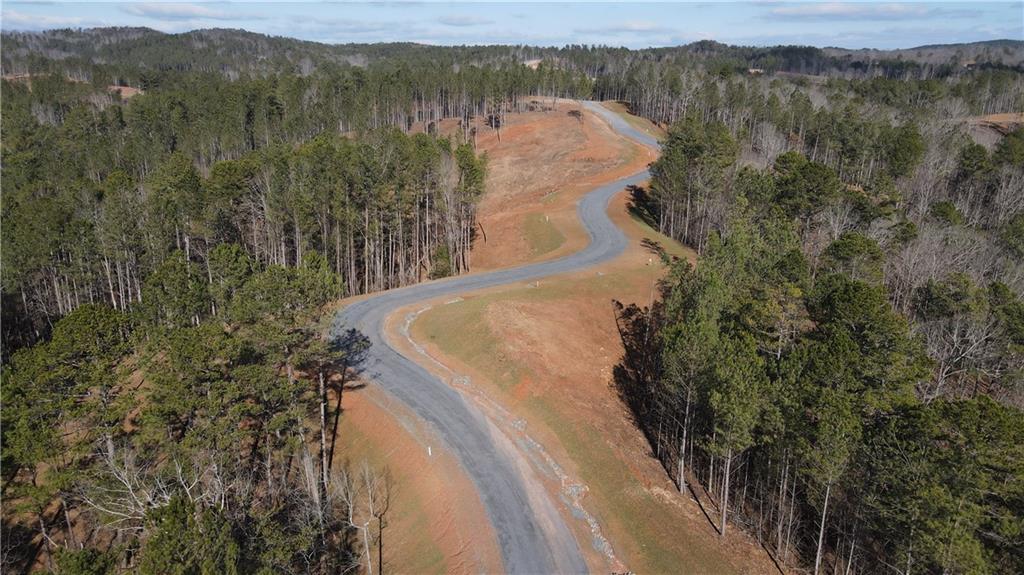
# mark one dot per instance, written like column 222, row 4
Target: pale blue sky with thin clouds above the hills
column 851, row 25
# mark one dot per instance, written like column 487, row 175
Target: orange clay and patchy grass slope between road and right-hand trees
column 562, row 339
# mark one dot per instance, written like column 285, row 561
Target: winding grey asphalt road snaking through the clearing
column 532, row 536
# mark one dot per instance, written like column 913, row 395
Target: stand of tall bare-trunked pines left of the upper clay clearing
column 386, row 211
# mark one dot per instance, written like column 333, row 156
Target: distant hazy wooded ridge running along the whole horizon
column 234, row 53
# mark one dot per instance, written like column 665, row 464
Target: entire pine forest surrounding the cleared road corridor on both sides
column 841, row 373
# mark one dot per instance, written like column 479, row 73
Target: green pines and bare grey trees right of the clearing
column 841, row 372
